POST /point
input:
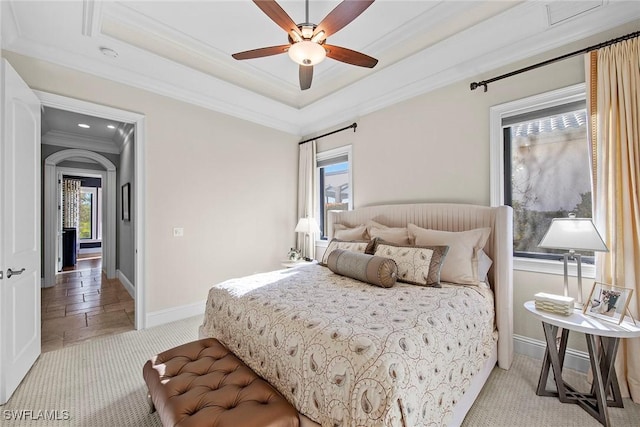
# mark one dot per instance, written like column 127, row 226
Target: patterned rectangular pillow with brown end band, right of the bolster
column 417, row 265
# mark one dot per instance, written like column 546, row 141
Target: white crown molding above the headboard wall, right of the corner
column 521, row 32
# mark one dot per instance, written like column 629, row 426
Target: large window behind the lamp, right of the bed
column 541, row 165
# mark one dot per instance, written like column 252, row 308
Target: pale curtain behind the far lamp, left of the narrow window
column 306, row 193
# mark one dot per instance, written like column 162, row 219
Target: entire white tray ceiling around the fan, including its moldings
column 183, row 49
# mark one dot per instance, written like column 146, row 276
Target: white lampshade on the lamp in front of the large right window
column 573, row 234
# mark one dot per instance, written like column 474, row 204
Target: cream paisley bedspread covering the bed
column 346, row 353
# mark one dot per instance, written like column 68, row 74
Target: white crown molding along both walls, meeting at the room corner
column 520, row 32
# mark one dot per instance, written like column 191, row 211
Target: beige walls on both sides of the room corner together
column 232, row 184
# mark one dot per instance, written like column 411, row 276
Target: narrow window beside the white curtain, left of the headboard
column 333, row 175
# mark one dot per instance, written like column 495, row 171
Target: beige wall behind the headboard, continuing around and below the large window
column 435, row 147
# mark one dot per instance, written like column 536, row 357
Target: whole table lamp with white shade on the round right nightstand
column 573, row 234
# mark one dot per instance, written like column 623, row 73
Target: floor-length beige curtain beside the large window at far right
column 613, row 82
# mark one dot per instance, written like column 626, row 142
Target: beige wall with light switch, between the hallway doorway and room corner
column 229, row 183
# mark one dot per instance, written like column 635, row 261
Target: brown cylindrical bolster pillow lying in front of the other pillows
column 367, row 268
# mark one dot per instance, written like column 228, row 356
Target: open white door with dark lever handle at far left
column 19, row 231
